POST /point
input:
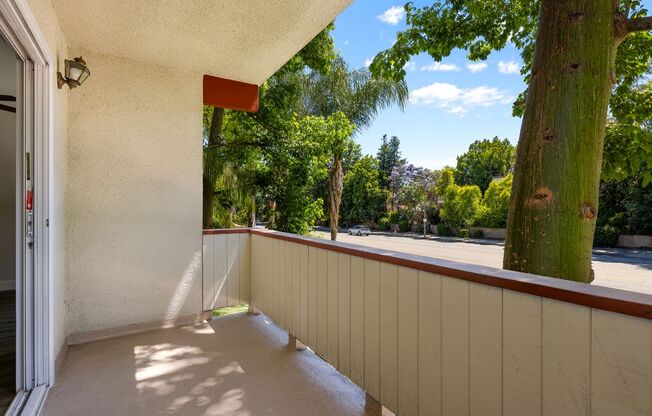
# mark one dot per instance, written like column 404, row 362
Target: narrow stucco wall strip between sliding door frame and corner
column 49, row 26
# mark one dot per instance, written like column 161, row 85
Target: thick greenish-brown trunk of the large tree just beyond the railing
column 554, row 197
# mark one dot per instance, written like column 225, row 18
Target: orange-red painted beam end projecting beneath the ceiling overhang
column 233, row 95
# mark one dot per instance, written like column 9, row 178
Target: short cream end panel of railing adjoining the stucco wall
column 226, row 270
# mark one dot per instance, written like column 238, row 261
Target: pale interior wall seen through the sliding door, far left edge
column 7, row 171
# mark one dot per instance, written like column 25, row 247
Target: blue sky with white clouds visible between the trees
column 451, row 104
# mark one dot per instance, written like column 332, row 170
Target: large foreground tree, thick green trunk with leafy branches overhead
column 556, row 178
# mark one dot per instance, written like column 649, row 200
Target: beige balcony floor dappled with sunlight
column 238, row 365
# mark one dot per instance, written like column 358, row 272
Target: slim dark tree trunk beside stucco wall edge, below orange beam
column 208, row 182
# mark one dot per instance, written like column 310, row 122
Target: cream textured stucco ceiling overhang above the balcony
column 241, row 40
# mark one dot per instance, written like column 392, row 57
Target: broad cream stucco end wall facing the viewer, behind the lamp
column 134, row 233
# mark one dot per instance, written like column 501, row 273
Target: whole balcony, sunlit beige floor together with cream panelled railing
column 420, row 336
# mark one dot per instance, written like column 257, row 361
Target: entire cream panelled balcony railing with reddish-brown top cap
column 431, row 337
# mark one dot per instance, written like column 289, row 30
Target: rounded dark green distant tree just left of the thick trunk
column 485, row 160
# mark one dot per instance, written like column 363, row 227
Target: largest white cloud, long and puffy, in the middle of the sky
column 459, row 100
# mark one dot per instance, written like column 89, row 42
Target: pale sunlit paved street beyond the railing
column 618, row 268
